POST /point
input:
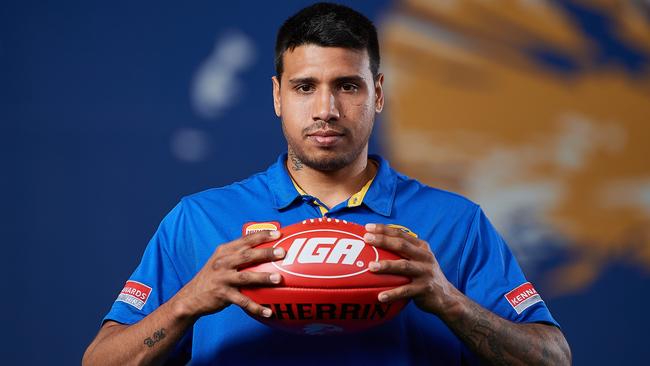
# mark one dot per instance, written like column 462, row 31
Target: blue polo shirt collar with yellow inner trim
column 379, row 196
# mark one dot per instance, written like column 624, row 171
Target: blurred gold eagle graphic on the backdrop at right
column 539, row 111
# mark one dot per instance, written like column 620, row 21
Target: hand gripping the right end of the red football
column 429, row 288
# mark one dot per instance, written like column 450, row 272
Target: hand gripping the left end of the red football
column 217, row 284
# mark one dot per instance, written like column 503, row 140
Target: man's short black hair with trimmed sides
column 328, row 25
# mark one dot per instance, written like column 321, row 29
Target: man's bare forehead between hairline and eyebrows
column 322, row 63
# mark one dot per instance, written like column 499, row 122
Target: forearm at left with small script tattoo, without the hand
column 147, row 342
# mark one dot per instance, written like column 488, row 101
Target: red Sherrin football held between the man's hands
column 326, row 287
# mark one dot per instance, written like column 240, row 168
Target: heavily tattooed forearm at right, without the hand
column 501, row 342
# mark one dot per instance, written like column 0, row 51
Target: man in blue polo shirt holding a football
column 327, row 91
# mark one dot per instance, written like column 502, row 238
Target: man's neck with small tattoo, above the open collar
column 332, row 187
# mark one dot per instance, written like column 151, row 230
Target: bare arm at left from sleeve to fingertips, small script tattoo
column 214, row 287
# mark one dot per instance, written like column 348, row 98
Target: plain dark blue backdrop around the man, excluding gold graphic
column 106, row 121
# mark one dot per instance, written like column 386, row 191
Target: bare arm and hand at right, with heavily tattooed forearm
column 494, row 339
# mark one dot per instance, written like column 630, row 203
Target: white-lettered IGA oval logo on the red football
column 325, row 253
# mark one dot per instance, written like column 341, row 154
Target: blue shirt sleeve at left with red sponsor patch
column 157, row 278
